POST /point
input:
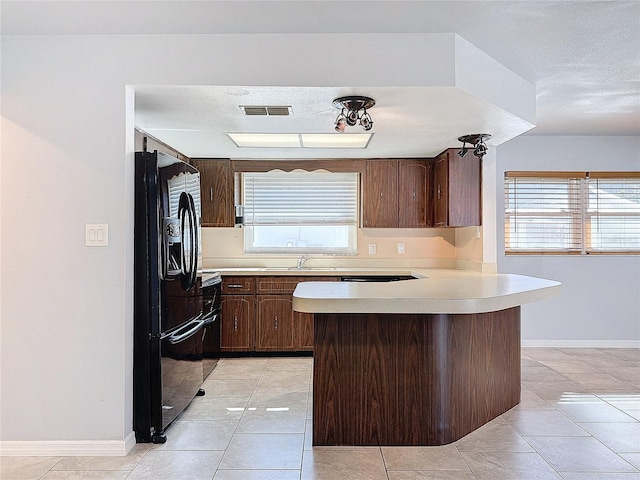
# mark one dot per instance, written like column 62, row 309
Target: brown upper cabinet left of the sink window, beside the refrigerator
column 216, row 192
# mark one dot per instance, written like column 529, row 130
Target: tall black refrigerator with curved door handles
column 170, row 321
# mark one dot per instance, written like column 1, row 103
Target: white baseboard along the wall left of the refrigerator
column 68, row 448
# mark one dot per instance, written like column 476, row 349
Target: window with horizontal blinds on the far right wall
column 572, row 212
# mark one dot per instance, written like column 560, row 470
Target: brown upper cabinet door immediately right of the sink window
column 380, row 194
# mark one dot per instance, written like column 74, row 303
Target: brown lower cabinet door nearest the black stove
column 237, row 334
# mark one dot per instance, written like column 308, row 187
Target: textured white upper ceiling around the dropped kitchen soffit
column 583, row 57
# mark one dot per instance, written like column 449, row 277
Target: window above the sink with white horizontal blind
column 300, row 212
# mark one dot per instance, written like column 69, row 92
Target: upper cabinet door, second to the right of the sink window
column 413, row 193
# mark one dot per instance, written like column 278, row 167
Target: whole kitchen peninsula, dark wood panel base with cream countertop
column 415, row 362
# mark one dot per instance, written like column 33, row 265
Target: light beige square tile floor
column 579, row 419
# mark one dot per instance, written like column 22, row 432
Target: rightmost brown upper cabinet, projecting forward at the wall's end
column 456, row 190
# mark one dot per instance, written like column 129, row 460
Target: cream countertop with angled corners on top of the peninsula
column 438, row 291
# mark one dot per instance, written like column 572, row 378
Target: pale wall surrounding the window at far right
column 600, row 300
